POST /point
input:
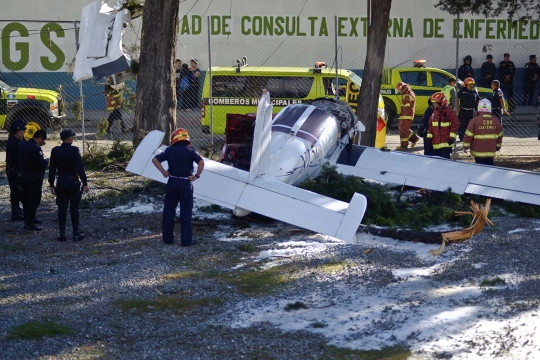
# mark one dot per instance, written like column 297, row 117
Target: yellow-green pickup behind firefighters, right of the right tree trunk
column 423, row 81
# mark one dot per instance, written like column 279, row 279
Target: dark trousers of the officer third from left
column 67, row 193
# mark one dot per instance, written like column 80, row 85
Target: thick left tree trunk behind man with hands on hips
column 156, row 96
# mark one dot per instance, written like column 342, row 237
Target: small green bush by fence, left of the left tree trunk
column 98, row 157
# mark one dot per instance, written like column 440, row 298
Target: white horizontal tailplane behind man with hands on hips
column 230, row 187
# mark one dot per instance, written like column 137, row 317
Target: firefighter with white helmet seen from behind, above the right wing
column 483, row 135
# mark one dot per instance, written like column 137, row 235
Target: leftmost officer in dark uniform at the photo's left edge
column 16, row 137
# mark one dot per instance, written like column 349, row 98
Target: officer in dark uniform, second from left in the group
column 32, row 170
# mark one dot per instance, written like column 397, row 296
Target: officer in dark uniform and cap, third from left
column 66, row 161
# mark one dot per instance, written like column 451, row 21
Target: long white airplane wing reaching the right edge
column 440, row 174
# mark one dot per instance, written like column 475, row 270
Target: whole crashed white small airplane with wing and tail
column 299, row 140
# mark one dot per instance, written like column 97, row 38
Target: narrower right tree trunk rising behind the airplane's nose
column 371, row 83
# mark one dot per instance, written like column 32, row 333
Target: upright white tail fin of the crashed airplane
column 260, row 153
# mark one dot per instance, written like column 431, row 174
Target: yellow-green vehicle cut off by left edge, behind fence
column 39, row 108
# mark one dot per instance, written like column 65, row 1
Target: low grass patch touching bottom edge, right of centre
column 387, row 353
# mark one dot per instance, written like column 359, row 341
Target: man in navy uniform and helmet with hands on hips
column 180, row 158
